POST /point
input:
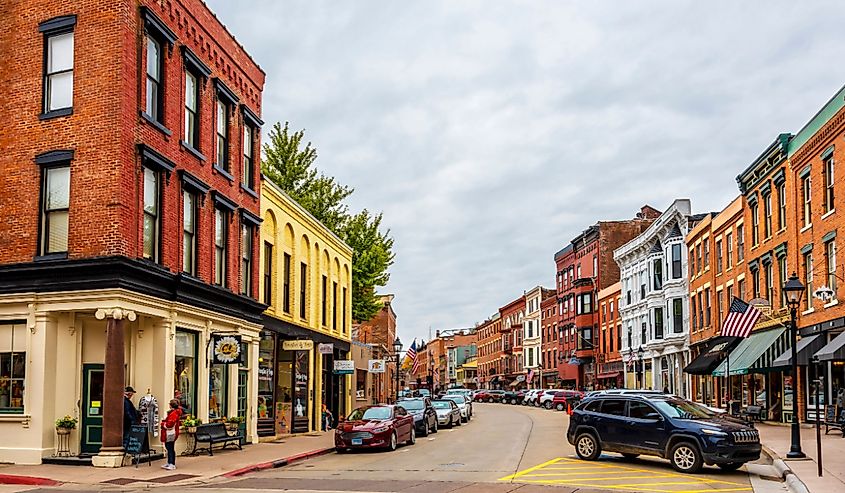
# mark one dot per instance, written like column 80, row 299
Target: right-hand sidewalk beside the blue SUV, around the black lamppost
column 778, row 439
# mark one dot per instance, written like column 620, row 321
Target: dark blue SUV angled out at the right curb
column 687, row 434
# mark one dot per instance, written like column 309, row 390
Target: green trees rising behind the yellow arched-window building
column 290, row 165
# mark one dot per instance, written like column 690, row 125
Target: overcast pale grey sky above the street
column 491, row 133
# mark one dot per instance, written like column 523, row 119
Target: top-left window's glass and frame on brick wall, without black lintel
column 58, row 71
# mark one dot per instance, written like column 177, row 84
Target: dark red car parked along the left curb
column 380, row 426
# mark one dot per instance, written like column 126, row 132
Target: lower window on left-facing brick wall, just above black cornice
column 55, row 210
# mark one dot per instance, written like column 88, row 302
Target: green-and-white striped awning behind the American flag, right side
column 755, row 353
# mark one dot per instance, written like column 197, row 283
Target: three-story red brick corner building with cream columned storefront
column 130, row 200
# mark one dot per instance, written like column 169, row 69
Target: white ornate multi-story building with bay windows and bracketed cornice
column 655, row 302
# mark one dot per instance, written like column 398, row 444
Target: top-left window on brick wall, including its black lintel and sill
column 58, row 66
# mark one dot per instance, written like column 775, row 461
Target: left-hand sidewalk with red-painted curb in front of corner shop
column 200, row 469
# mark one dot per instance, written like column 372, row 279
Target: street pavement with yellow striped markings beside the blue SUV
column 503, row 449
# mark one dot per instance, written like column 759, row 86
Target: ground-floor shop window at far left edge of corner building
column 12, row 367
